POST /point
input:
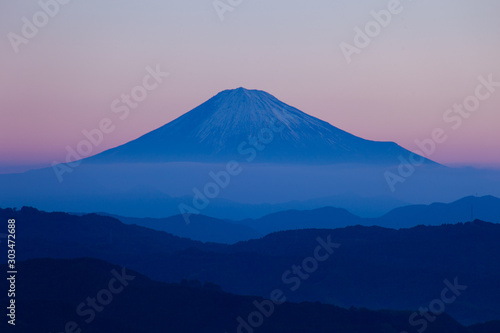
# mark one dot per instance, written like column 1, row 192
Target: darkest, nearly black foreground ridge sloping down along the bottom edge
column 51, row 291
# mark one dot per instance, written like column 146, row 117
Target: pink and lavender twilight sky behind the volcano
column 427, row 57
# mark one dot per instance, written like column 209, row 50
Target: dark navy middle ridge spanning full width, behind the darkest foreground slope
column 373, row 267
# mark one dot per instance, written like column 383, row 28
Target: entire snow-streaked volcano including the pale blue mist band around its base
column 279, row 157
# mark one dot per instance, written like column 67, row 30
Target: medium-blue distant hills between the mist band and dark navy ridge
column 205, row 228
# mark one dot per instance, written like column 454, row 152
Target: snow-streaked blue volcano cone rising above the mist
column 222, row 129
